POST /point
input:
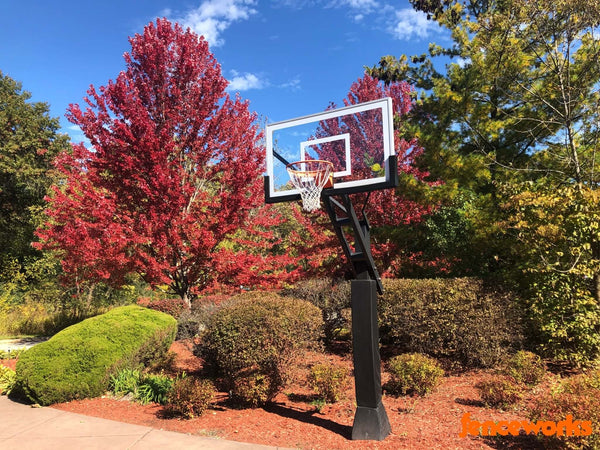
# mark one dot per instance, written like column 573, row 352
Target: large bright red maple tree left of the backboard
column 174, row 171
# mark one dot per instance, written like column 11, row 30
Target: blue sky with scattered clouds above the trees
column 289, row 58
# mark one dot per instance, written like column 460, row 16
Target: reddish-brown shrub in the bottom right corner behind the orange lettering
column 578, row 397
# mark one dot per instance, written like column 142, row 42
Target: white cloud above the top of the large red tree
column 213, row 17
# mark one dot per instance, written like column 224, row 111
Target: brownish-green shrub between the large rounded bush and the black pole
column 330, row 297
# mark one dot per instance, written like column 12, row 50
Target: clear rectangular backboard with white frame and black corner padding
column 357, row 139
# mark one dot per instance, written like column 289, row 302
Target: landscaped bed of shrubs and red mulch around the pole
column 277, row 369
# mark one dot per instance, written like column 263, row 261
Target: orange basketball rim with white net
column 310, row 177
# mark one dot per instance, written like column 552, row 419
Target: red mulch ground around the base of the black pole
column 432, row 422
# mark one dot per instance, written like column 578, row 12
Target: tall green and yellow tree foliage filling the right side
column 511, row 125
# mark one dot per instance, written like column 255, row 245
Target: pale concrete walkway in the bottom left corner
column 23, row 427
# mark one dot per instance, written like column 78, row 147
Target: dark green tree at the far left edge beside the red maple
column 29, row 141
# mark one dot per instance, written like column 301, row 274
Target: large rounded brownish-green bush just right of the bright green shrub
column 250, row 343
